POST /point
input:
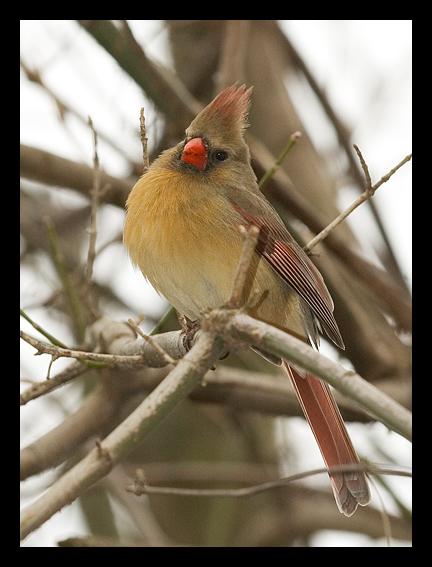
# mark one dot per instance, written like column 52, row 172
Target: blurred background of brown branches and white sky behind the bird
column 337, row 81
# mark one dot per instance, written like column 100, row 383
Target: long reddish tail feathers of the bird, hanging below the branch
column 325, row 420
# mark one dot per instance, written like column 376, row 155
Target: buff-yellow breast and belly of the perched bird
column 189, row 251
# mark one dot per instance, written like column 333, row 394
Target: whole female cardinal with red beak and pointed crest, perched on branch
column 182, row 232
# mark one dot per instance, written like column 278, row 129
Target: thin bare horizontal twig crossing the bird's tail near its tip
column 141, row 487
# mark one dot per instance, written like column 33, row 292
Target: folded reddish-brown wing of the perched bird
column 288, row 260
